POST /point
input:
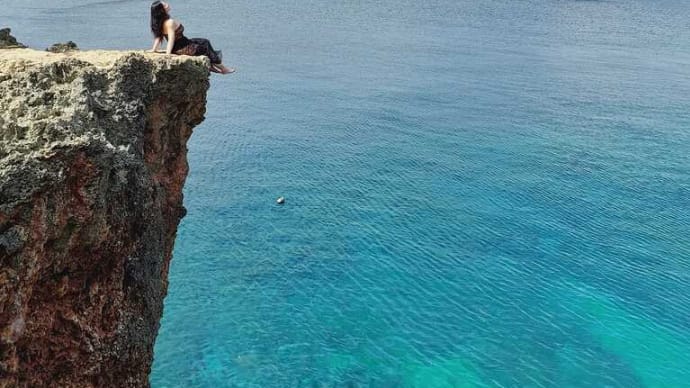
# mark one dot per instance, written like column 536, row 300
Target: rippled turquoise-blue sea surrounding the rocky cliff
column 479, row 193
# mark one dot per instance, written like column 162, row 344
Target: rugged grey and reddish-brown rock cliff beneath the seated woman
column 92, row 164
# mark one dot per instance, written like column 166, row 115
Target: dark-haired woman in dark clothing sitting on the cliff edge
column 163, row 26
